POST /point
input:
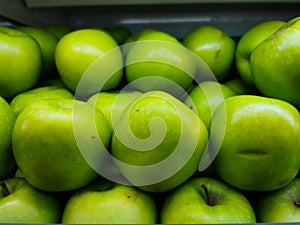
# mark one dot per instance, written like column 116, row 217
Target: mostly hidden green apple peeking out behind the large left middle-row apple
column 20, row 101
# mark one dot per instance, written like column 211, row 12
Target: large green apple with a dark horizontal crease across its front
column 260, row 148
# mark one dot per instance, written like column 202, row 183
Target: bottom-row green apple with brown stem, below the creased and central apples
column 188, row 204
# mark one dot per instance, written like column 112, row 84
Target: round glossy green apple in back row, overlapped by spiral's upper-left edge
column 78, row 50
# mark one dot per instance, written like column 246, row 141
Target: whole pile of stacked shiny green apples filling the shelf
column 101, row 125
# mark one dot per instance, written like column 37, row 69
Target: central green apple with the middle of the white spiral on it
column 158, row 142
